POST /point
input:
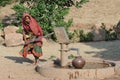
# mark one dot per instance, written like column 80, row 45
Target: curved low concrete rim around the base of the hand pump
column 48, row 70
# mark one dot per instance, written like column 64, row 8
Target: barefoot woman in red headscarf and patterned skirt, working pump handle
column 32, row 35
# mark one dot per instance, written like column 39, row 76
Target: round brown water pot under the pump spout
column 78, row 62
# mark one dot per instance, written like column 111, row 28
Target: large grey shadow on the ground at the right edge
column 110, row 50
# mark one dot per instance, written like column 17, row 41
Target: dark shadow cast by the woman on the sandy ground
column 19, row 59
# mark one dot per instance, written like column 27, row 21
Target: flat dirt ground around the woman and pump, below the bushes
column 15, row 67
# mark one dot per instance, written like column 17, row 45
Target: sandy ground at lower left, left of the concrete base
column 14, row 67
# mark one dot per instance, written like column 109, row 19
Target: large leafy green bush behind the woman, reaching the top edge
column 49, row 13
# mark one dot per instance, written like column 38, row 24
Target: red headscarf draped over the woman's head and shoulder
column 35, row 28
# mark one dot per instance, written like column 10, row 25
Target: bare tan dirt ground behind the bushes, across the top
column 92, row 12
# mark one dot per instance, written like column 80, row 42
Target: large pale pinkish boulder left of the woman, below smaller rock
column 13, row 39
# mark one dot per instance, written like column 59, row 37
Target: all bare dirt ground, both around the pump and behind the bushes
column 15, row 67
